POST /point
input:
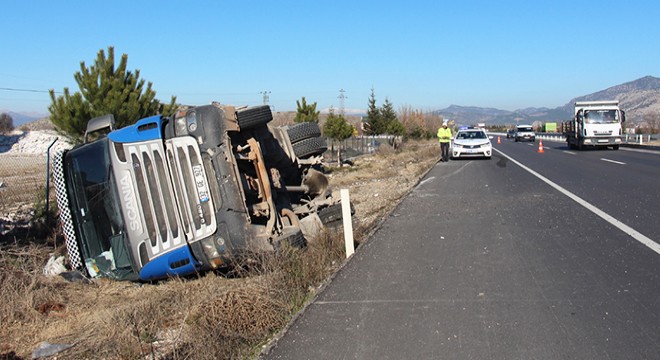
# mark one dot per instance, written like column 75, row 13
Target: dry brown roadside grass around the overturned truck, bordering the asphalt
column 213, row 316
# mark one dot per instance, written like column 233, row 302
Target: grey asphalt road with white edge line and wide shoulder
column 483, row 260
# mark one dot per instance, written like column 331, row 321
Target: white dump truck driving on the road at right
column 595, row 123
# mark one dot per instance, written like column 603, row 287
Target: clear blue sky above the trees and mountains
column 428, row 55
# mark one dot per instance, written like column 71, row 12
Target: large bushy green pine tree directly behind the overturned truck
column 105, row 89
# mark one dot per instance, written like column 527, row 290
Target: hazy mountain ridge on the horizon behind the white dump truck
column 636, row 98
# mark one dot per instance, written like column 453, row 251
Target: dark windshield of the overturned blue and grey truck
column 96, row 209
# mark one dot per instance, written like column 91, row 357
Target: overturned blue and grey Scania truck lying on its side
column 172, row 196
